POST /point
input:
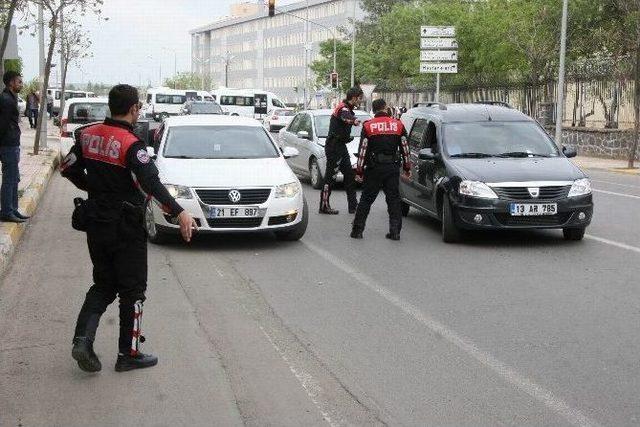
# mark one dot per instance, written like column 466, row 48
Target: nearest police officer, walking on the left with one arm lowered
column 113, row 166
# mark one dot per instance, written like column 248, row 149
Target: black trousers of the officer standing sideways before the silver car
column 338, row 160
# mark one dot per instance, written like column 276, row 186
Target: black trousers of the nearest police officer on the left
column 119, row 260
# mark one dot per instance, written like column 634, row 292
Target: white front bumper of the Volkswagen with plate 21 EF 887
column 276, row 214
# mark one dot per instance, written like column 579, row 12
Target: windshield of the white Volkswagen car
column 219, row 142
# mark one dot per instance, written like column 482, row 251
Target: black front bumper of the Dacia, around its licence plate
column 477, row 214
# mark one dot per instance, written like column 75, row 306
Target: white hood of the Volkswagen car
column 227, row 173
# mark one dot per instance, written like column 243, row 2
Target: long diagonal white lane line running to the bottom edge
column 539, row 393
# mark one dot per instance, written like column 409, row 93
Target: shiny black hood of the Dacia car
column 517, row 170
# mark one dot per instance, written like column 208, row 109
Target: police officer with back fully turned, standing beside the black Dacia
column 382, row 144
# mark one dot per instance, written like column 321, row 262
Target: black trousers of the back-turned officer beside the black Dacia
column 387, row 179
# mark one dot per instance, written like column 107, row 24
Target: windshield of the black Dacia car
column 505, row 139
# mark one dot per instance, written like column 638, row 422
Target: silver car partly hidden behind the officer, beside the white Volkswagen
column 307, row 133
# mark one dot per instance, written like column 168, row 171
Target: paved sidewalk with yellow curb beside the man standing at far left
column 35, row 171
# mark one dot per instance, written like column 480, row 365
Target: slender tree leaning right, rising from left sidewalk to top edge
column 54, row 9
